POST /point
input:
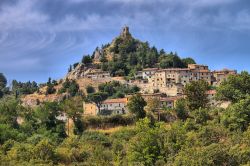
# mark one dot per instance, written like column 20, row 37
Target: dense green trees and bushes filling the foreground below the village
column 55, row 133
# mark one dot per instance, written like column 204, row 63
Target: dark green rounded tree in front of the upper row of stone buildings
column 196, row 94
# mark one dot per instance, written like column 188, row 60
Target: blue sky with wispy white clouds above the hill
column 41, row 38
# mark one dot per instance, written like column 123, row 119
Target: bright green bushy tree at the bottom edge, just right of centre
column 147, row 147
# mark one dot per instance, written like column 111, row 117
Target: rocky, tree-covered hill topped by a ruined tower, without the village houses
column 116, row 61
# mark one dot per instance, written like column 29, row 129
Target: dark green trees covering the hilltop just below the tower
column 130, row 55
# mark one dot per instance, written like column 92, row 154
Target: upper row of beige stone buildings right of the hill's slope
column 171, row 81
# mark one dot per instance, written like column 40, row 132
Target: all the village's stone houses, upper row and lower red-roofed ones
column 165, row 85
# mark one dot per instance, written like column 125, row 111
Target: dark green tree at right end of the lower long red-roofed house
column 136, row 106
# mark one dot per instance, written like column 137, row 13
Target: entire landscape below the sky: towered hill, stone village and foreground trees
column 128, row 104
